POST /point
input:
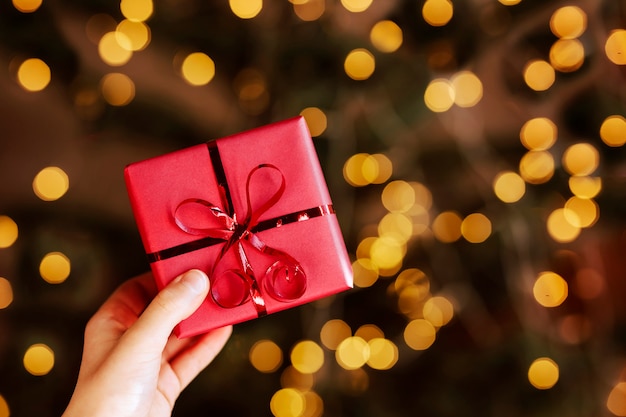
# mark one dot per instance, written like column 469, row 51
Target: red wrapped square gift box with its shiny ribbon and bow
column 253, row 211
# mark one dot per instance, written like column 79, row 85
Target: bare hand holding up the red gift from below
column 132, row 364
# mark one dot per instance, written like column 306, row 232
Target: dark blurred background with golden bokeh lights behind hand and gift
column 488, row 295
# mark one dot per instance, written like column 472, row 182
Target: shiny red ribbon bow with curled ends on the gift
column 284, row 280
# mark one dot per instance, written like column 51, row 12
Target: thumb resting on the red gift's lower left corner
column 174, row 303
